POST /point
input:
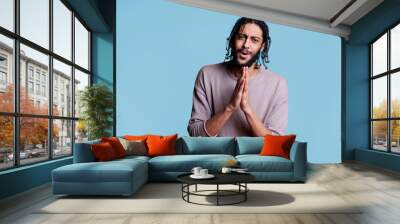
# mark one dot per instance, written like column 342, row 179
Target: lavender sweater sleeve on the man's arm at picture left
column 201, row 109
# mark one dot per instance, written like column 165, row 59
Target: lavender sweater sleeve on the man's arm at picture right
column 278, row 119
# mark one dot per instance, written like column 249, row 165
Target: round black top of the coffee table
column 220, row 178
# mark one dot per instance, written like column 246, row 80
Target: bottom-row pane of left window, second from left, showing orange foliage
column 33, row 140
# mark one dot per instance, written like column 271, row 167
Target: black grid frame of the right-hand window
column 388, row 74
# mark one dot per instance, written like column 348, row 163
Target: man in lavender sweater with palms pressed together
column 239, row 97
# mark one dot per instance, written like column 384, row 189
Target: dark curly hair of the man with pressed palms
column 266, row 39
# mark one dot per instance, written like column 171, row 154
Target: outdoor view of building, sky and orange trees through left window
column 47, row 127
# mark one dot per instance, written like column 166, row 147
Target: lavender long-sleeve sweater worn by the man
column 268, row 97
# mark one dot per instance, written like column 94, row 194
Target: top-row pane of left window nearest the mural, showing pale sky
column 81, row 45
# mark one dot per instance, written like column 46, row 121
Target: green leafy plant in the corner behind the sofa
column 97, row 104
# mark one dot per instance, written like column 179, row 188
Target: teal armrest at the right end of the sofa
column 298, row 155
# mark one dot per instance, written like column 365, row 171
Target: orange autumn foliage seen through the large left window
column 33, row 130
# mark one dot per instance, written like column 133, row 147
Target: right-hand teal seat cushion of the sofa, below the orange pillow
column 257, row 163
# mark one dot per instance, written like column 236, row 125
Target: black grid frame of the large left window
column 16, row 115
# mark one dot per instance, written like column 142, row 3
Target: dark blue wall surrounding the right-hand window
column 356, row 61
